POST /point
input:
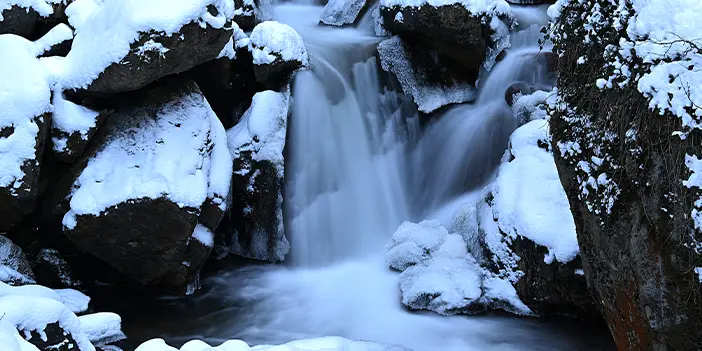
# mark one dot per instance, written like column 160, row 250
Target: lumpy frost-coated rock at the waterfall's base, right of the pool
column 440, row 275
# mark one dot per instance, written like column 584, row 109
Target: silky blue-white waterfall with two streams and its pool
column 358, row 164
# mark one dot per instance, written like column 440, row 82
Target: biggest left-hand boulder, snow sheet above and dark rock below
column 157, row 168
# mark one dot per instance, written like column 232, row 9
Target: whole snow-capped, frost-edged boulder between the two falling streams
column 444, row 46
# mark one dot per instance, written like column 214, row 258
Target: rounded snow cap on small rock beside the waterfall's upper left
column 270, row 40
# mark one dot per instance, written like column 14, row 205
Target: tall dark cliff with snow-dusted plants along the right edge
column 628, row 172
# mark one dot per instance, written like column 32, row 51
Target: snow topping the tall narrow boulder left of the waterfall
column 262, row 129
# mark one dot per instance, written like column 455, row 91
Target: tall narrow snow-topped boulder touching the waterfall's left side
column 254, row 227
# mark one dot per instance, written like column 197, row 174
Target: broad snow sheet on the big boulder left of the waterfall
column 160, row 154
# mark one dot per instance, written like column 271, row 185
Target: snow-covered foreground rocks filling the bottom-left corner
column 35, row 318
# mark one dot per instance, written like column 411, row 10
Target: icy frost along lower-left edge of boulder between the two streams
column 395, row 58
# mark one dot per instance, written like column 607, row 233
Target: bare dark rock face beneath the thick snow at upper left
column 190, row 46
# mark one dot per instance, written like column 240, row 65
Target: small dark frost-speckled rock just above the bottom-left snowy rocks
column 53, row 271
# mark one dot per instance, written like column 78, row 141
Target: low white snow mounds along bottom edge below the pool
column 331, row 343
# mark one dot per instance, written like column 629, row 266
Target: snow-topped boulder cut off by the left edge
column 25, row 116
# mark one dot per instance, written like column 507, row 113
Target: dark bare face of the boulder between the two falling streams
column 449, row 34
